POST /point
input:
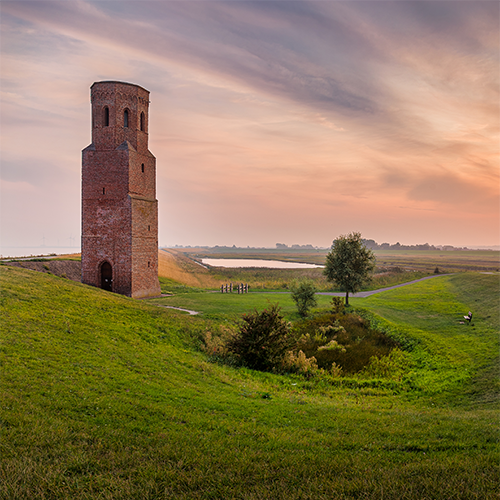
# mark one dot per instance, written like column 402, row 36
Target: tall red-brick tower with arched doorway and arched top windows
column 119, row 206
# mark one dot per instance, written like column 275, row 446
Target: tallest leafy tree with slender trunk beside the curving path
column 349, row 263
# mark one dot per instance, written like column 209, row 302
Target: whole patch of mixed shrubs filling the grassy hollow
column 332, row 343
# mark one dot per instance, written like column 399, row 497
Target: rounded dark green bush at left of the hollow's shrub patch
column 262, row 340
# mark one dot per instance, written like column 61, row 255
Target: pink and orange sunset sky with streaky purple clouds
column 271, row 121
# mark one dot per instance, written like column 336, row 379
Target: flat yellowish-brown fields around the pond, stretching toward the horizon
column 393, row 267
